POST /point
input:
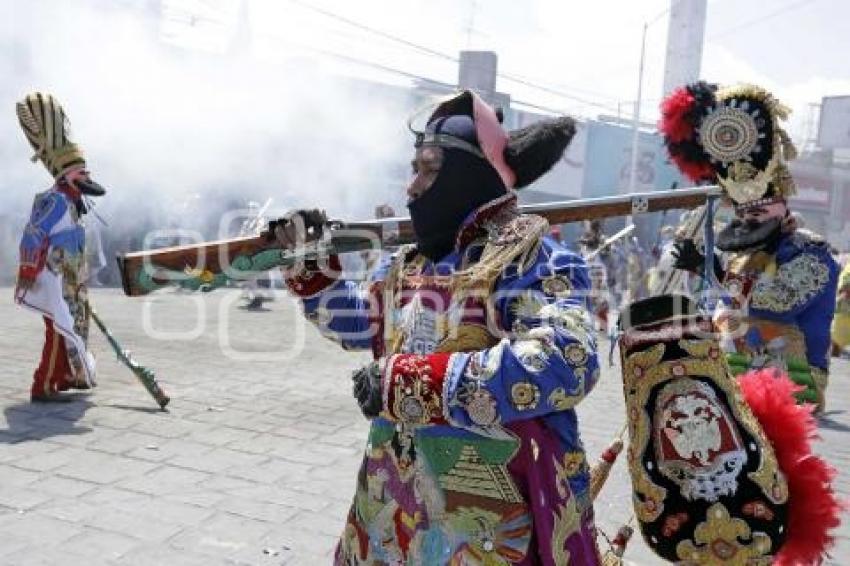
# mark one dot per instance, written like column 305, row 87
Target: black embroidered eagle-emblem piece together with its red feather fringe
column 722, row 469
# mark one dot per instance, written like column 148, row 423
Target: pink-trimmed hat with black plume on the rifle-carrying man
column 519, row 156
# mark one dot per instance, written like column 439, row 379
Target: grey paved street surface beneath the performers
column 255, row 461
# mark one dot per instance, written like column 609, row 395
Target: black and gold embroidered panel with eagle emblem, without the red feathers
column 706, row 486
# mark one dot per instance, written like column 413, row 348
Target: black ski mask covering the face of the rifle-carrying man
column 465, row 182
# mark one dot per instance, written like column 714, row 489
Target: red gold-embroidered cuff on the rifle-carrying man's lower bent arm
column 413, row 388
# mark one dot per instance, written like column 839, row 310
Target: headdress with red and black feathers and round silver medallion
column 730, row 135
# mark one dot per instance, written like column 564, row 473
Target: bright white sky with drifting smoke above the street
column 170, row 98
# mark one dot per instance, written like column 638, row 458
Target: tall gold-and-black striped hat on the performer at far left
column 45, row 124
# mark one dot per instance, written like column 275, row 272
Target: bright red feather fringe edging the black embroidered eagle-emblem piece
column 813, row 507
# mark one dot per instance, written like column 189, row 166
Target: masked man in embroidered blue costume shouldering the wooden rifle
column 483, row 348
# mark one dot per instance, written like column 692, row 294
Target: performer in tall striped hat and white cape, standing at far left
column 52, row 273
